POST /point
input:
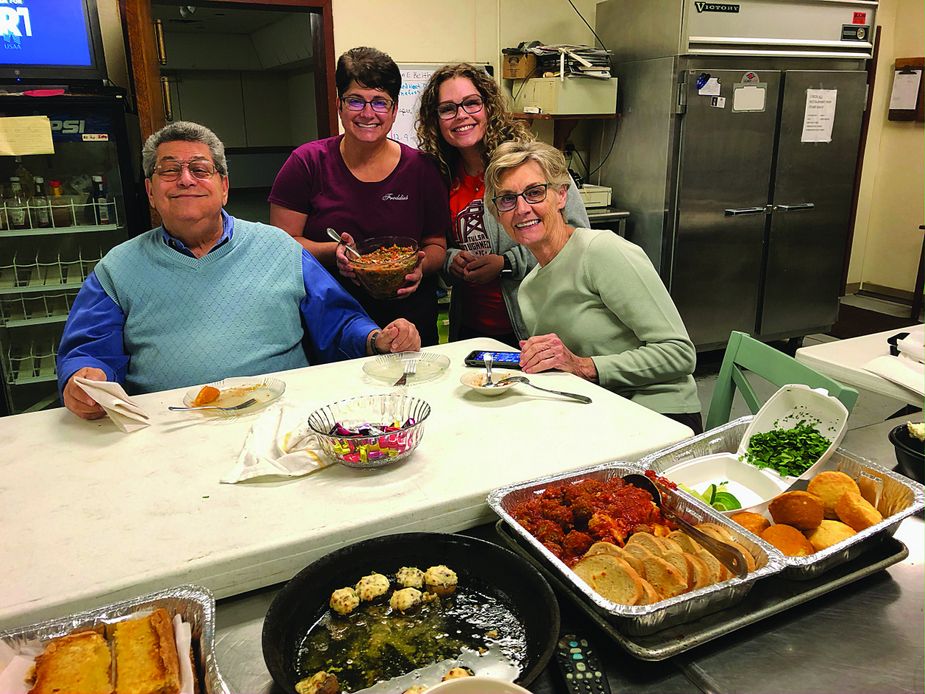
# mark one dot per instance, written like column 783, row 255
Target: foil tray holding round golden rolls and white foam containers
column 898, row 496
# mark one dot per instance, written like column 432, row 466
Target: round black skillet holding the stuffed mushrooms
column 303, row 600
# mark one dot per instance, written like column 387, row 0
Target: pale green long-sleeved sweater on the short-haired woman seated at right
column 603, row 298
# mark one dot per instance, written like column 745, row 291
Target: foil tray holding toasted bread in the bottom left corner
column 194, row 604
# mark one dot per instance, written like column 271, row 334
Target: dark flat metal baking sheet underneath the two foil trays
column 769, row 597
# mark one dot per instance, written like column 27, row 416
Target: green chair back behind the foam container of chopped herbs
column 744, row 353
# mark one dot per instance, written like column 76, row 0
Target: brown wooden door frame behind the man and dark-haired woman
column 141, row 53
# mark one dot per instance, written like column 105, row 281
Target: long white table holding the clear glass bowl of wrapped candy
column 91, row 515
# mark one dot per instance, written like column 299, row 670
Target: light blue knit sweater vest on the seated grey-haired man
column 232, row 312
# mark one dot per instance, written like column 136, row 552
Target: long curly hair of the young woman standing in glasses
column 501, row 126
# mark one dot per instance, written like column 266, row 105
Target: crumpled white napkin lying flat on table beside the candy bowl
column 279, row 444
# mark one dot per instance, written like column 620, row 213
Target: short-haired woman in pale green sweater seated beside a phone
column 594, row 305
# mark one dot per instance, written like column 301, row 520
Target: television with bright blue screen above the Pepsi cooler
column 50, row 41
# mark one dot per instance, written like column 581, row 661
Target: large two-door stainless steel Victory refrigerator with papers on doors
column 736, row 152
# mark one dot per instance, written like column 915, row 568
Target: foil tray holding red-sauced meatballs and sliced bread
column 642, row 619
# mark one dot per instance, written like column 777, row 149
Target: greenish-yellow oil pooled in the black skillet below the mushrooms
column 375, row 644
